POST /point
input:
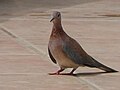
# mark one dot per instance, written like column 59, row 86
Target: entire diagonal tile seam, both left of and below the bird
column 27, row 44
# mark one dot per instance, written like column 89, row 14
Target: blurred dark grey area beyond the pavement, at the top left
column 12, row 8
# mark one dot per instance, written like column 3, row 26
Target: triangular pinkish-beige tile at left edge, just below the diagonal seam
column 9, row 45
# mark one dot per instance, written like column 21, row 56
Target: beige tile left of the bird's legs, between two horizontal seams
column 23, row 64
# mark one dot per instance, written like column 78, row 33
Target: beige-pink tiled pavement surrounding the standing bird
column 24, row 61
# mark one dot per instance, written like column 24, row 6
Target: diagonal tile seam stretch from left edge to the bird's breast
column 24, row 42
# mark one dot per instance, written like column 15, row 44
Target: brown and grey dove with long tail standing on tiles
column 66, row 52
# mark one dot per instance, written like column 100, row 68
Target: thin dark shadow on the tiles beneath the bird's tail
column 89, row 74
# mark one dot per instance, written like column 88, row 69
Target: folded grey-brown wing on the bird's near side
column 75, row 52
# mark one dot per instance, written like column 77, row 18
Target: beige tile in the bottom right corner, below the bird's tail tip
column 106, row 81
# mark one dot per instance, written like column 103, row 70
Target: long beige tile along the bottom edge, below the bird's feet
column 39, row 82
